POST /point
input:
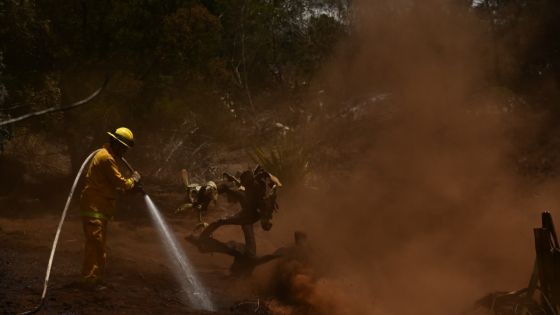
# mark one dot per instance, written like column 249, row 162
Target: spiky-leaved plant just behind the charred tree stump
column 287, row 160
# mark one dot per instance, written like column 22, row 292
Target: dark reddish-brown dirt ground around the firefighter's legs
column 139, row 279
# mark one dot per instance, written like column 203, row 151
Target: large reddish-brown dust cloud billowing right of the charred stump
column 433, row 214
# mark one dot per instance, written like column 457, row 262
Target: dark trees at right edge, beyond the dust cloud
column 525, row 56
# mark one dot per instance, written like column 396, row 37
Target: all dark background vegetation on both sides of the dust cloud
column 220, row 66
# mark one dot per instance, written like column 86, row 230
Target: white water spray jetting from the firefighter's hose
column 182, row 268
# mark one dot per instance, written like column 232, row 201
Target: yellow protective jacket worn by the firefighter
column 102, row 184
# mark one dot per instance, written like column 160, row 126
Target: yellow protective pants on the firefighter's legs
column 95, row 254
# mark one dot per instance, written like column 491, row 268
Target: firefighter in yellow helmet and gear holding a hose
column 98, row 201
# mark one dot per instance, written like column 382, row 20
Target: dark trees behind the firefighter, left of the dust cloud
column 169, row 59
